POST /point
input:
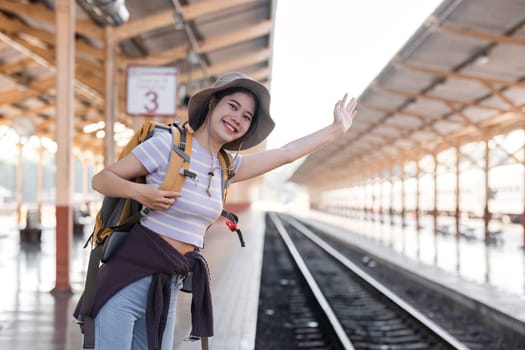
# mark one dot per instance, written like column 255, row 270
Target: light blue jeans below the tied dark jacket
column 121, row 322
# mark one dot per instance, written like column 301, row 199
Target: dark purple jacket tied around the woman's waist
column 145, row 253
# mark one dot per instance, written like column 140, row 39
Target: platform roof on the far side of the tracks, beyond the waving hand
column 460, row 78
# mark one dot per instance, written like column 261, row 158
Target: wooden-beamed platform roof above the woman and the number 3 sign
column 202, row 38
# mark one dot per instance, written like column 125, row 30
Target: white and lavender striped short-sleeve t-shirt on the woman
column 191, row 214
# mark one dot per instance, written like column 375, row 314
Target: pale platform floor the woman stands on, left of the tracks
column 33, row 318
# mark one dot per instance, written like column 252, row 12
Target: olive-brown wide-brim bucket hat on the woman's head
column 198, row 107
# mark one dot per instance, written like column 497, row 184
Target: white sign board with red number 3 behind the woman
column 151, row 90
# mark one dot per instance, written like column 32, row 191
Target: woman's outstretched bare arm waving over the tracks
column 261, row 162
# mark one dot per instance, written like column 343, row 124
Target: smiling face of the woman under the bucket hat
column 232, row 116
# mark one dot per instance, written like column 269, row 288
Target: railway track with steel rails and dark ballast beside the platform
column 320, row 299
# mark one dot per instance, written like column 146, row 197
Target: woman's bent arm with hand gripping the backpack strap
column 114, row 181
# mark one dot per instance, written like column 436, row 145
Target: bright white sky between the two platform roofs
column 324, row 49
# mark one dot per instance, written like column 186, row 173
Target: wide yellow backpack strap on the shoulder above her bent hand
column 179, row 159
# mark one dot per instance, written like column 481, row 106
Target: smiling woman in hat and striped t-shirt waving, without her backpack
column 136, row 308
